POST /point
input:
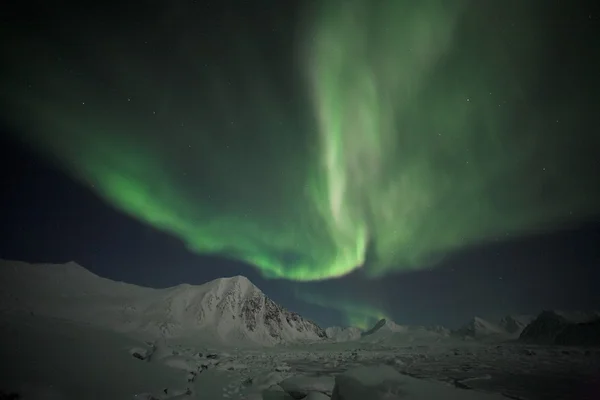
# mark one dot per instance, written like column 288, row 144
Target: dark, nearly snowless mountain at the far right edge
column 565, row 328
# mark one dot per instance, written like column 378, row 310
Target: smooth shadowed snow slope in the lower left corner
column 45, row 358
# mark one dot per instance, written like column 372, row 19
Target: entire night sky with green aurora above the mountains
column 422, row 161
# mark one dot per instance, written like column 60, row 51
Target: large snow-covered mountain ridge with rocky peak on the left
column 227, row 310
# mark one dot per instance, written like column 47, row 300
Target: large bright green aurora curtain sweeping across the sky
column 378, row 136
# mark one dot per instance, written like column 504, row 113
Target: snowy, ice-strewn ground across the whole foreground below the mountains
column 46, row 358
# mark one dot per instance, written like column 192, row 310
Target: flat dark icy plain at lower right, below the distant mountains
column 516, row 371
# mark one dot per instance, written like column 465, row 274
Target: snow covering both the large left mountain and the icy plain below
column 68, row 334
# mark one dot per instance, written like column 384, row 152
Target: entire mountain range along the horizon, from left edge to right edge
column 234, row 311
